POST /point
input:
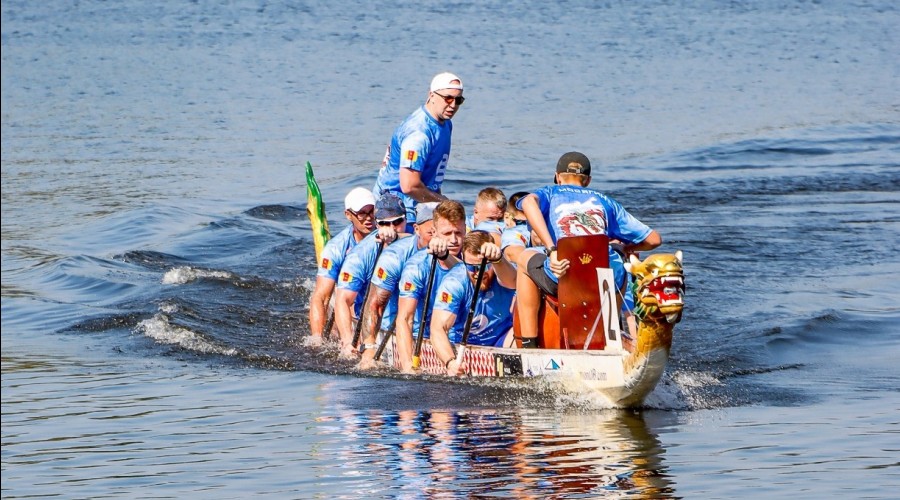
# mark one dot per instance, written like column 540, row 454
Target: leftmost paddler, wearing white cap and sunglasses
column 359, row 208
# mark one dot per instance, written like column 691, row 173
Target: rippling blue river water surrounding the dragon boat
column 157, row 262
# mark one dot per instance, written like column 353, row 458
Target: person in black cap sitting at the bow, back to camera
column 569, row 208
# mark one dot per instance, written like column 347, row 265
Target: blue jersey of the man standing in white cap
column 422, row 144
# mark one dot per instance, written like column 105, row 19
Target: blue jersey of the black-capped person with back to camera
column 576, row 211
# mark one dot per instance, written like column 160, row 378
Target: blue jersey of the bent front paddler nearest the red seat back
column 493, row 314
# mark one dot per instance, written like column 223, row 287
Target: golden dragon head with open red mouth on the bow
column 658, row 287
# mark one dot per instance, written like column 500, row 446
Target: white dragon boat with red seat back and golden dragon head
column 583, row 339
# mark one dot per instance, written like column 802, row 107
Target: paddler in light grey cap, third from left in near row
column 381, row 307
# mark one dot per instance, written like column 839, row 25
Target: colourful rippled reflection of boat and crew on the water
column 518, row 453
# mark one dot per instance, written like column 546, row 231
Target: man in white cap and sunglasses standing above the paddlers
column 416, row 158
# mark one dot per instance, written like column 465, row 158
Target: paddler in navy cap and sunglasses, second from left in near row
column 356, row 272
